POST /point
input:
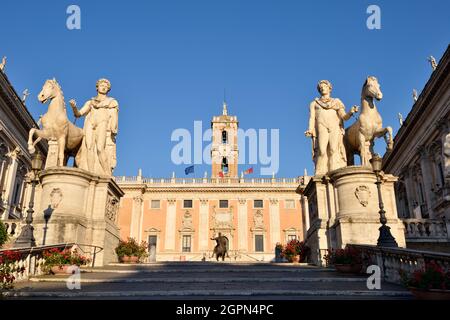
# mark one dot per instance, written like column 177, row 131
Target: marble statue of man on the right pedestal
column 326, row 128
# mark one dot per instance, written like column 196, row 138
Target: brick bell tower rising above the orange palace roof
column 224, row 147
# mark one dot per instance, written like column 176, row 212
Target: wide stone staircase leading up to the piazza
column 207, row 280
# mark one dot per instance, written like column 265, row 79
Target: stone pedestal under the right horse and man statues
column 343, row 209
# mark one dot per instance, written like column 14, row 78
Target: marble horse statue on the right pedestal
column 359, row 137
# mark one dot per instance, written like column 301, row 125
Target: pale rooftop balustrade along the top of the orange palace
column 203, row 181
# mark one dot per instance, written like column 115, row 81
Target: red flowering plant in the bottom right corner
column 432, row 276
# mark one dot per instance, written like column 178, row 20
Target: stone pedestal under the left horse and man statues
column 74, row 206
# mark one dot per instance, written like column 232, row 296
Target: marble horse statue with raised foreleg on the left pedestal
column 56, row 125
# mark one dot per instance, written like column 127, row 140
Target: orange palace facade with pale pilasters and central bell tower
column 177, row 217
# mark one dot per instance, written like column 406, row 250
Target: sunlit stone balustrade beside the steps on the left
column 32, row 260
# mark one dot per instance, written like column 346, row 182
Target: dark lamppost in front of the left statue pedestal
column 26, row 237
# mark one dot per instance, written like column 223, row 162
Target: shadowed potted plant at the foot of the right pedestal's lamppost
column 346, row 260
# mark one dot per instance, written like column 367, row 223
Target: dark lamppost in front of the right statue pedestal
column 385, row 239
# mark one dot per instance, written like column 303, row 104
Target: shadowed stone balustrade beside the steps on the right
column 392, row 260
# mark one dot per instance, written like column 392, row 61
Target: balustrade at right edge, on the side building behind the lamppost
column 425, row 229
